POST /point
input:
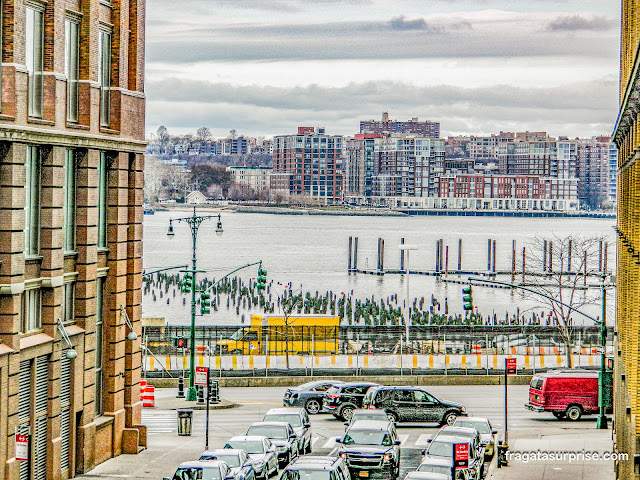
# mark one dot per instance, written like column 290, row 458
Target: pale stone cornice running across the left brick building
column 43, row 136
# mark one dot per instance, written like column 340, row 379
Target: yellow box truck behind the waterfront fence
column 270, row 335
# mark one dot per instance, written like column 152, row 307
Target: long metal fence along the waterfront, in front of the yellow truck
column 437, row 339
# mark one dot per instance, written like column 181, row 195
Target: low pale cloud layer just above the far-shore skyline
column 579, row 109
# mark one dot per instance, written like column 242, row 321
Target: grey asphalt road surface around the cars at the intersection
column 484, row 401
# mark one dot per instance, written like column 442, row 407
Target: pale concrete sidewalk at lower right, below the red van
column 531, row 456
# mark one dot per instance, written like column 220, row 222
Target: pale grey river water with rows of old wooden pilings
column 311, row 252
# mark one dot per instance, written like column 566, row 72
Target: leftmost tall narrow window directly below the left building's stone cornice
column 32, row 202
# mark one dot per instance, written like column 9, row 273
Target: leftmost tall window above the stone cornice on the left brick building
column 34, row 42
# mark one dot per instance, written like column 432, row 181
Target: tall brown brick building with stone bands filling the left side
column 71, row 178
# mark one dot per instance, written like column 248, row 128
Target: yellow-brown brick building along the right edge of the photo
column 627, row 138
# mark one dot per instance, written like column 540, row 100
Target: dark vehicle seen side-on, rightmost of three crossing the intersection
column 412, row 404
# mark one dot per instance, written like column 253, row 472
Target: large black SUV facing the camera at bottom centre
column 371, row 449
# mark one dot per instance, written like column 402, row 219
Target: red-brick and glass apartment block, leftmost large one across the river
column 313, row 161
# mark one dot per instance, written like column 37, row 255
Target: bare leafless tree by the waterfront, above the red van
column 560, row 268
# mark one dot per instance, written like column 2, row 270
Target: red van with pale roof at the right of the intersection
column 570, row 393
